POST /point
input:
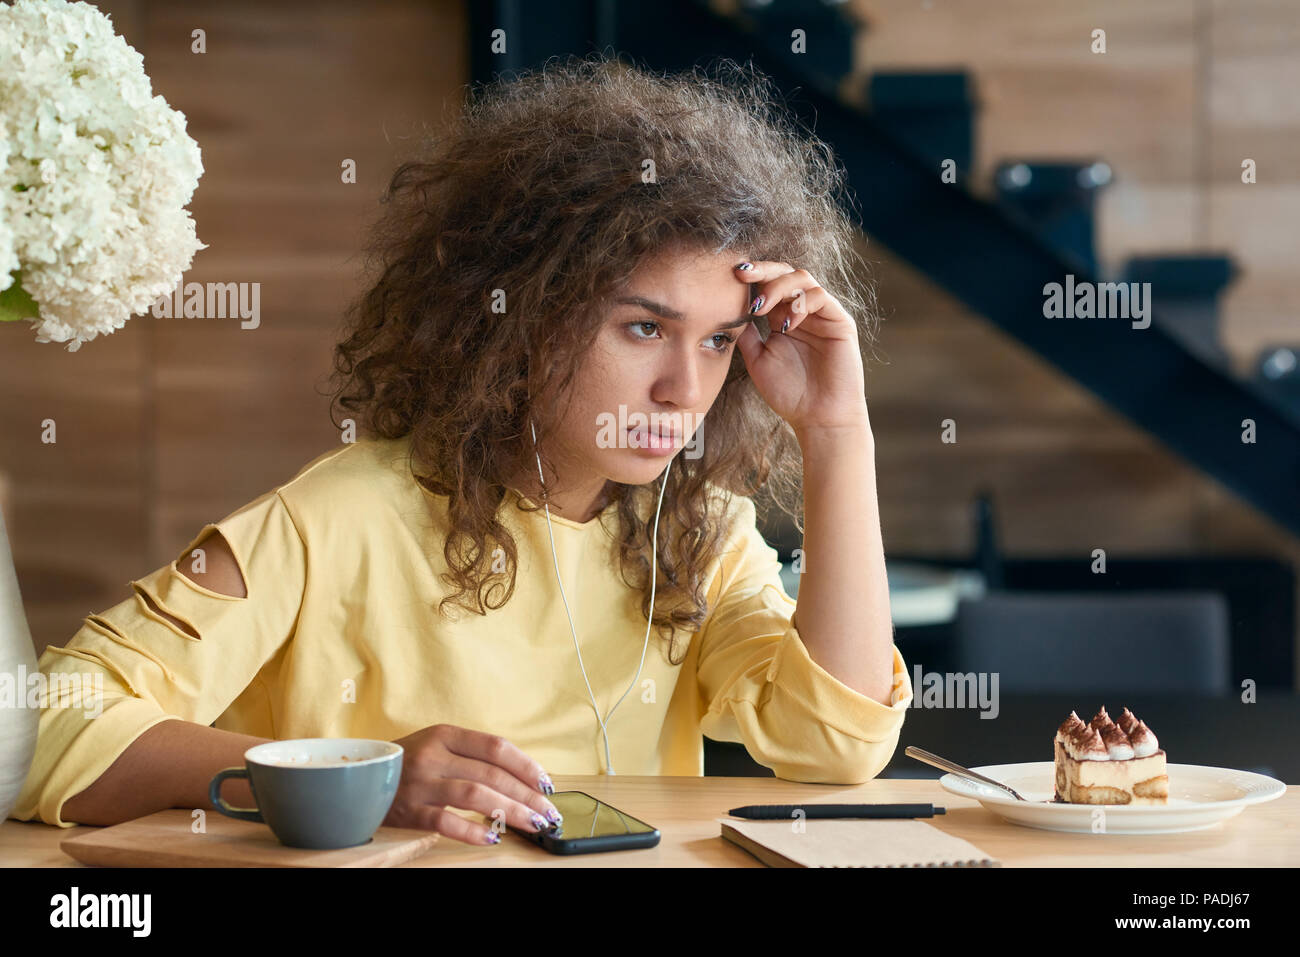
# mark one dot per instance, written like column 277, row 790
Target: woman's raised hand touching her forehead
column 812, row 374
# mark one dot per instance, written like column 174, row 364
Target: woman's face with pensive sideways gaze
column 656, row 367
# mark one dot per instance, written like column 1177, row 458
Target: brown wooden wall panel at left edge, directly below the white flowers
column 77, row 513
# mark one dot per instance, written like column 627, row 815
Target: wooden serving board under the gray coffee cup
column 166, row 839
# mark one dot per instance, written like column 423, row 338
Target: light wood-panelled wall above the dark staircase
column 1185, row 92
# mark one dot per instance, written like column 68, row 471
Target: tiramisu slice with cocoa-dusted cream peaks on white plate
column 1110, row 763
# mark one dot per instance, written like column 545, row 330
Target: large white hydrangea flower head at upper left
column 96, row 174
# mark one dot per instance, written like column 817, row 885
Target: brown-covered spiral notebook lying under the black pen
column 853, row 843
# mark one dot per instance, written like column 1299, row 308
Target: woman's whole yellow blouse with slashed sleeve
column 339, row 636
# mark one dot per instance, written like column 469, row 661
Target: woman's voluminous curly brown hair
column 539, row 188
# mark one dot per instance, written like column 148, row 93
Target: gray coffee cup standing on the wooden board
column 318, row 793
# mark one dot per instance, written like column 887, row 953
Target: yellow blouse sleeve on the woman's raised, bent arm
column 761, row 688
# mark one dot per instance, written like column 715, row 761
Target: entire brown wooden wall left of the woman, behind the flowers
column 172, row 423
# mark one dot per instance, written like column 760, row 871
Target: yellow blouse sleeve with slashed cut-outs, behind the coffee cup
column 151, row 670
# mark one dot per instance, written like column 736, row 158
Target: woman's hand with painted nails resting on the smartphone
column 445, row 767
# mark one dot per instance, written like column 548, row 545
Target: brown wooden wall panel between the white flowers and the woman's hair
column 289, row 93
